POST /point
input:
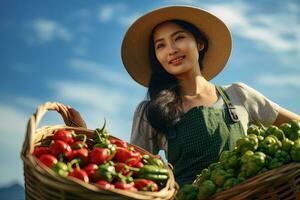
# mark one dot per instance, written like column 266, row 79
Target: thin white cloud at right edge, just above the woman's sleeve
column 282, row 80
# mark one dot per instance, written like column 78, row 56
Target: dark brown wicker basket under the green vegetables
column 282, row 183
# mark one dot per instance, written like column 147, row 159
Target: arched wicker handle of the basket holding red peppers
column 35, row 119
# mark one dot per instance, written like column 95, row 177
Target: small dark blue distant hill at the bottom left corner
column 14, row 191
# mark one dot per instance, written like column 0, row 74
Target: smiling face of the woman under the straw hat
column 176, row 49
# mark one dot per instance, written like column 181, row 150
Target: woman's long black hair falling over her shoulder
column 164, row 106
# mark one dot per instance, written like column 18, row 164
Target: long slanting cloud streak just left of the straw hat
column 98, row 70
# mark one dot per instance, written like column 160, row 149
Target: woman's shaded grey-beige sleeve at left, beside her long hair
column 142, row 133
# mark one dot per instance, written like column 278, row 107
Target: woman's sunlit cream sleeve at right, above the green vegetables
column 260, row 108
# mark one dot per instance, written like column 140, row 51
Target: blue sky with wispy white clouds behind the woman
column 69, row 51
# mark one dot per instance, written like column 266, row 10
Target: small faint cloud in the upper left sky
column 45, row 30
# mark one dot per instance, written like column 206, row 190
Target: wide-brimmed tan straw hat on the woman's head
column 135, row 45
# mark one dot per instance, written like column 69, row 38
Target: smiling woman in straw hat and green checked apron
column 175, row 51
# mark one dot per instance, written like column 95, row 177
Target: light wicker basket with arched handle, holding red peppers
column 42, row 183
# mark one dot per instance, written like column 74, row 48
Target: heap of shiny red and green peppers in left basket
column 101, row 160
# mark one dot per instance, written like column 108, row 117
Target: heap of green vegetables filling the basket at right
column 263, row 149
